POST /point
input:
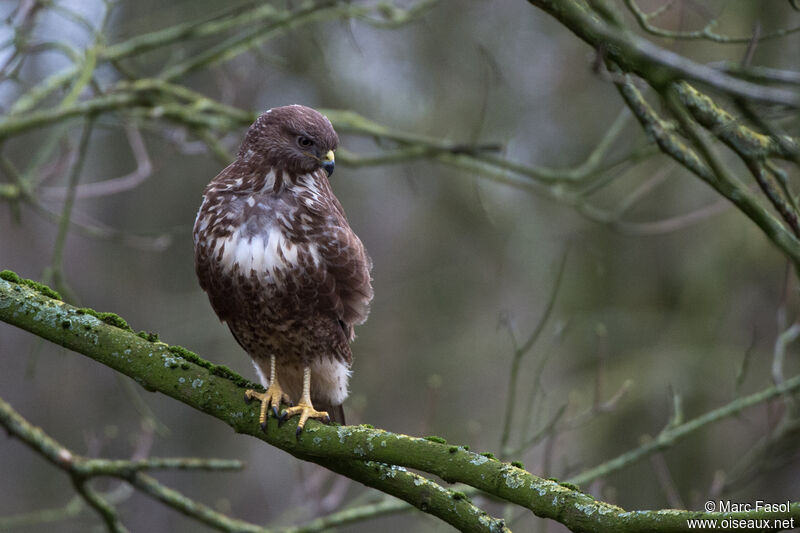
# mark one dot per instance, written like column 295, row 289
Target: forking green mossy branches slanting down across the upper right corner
column 701, row 118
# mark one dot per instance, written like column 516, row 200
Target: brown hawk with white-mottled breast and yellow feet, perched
column 281, row 266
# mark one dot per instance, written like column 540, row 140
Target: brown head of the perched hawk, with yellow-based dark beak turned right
column 292, row 138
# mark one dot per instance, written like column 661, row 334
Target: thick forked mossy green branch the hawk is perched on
column 373, row 457
